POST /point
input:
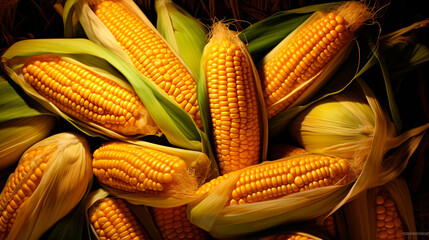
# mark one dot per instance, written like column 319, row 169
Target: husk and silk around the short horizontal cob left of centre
column 199, row 167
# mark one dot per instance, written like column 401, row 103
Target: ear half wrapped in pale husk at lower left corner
column 50, row 179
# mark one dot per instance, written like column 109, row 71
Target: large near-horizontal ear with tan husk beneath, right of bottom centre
column 273, row 193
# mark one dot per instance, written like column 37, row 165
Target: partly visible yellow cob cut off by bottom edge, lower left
column 111, row 218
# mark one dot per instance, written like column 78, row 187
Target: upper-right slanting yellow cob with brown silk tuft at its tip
column 292, row 69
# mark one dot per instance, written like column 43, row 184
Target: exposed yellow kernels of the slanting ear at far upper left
column 86, row 95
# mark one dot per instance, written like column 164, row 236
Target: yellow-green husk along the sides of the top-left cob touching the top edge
column 175, row 123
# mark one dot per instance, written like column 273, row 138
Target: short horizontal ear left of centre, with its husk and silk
column 148, row 174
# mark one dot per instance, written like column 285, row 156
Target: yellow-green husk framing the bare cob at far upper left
column 173, row 122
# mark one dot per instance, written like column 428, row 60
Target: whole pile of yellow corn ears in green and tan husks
column 131, row 129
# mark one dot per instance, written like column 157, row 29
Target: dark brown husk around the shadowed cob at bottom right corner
column 361, row 212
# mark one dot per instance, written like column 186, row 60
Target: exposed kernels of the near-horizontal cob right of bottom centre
column 272, row 180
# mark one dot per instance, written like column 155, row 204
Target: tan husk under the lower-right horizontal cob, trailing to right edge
column 210, row 212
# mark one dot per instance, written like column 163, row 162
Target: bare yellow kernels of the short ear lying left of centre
column 139, row 169
